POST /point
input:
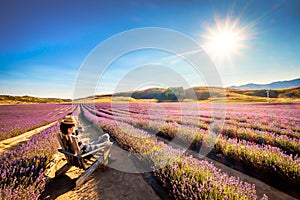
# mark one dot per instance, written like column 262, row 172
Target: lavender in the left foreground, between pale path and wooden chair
column 22, row 168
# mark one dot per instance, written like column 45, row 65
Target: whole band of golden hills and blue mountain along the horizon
column 244, row 93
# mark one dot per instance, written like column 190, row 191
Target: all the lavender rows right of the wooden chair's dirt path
column 262, row 138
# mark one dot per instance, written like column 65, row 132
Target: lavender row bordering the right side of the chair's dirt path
column 184, row 176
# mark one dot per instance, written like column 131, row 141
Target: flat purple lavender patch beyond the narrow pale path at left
column 17, row 119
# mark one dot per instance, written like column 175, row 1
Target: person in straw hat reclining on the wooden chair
column 67, row 127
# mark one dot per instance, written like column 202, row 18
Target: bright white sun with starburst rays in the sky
column 225, row 39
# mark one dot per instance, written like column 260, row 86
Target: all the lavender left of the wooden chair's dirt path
column 22, row 167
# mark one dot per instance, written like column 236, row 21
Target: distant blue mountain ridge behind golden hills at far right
column 273, row 85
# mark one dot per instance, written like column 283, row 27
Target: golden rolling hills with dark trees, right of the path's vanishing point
column 200, row 93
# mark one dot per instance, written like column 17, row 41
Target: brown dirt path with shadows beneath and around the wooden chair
column 106, row 183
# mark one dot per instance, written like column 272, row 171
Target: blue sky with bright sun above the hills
column 44, row 44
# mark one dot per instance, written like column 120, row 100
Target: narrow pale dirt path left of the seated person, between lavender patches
column 5, row 144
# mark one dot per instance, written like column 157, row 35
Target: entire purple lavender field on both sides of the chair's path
column 259, row 137
